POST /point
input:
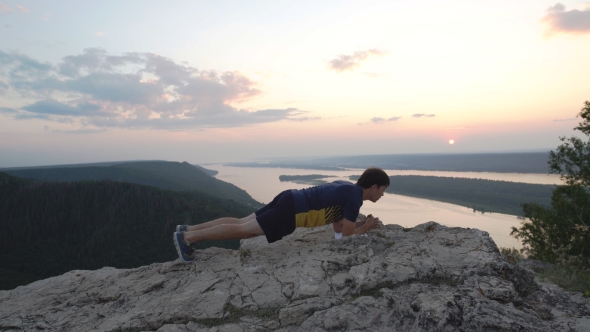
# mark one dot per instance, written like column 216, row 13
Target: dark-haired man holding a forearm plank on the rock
column 337, row 203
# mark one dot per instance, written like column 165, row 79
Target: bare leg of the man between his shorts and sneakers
column 225, row 231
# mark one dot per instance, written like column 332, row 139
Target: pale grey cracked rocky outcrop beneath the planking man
column 428, row 278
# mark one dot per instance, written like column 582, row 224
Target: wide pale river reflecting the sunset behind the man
column 263, row 184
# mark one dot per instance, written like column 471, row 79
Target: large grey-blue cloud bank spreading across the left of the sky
column 133, row 90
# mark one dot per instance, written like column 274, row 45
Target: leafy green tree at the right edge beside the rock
column 561, row 233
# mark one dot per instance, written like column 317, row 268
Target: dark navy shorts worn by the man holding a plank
column 277, row 218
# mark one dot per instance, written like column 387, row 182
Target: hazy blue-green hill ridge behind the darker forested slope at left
column 161, row 174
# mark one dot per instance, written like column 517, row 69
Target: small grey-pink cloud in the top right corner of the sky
column 573, row 21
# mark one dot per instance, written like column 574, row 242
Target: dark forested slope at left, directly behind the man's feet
column 49, row 228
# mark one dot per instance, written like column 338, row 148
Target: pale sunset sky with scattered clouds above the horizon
column 219, row 81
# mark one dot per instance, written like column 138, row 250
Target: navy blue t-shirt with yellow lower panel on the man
column 327, row 203
